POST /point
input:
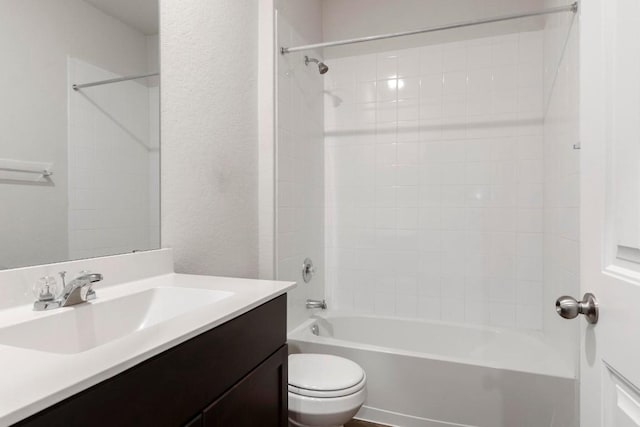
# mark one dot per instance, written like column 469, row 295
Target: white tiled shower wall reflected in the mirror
column 110, row 172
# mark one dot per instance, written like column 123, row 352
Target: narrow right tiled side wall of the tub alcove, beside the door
column 562, row 176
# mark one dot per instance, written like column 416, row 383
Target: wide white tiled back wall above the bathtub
column 434, row 182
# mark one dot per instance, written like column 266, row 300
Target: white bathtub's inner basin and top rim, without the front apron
column 502, row 348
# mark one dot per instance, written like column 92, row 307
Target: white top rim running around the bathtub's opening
column 303, row 333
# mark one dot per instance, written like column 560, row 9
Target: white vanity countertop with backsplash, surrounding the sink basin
column 34, row 380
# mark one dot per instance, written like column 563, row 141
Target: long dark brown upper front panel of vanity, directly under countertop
column 171, row 388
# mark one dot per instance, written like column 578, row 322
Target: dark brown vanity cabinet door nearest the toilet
column 259, row 399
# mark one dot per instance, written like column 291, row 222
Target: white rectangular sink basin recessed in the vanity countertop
column 85, row 326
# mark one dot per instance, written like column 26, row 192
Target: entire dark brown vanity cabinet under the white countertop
column 232, row 375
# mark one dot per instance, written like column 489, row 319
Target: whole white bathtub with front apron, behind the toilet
column 437, row 374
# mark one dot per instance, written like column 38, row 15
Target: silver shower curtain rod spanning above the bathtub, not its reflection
column 568, row 8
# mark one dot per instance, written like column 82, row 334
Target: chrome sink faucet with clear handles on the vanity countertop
column 77, row 291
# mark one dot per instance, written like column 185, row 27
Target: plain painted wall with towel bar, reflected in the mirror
column 36, row 37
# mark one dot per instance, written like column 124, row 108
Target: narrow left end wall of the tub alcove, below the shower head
column 300, row 157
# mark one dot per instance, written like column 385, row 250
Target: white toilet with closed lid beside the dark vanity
column 324, row 390
